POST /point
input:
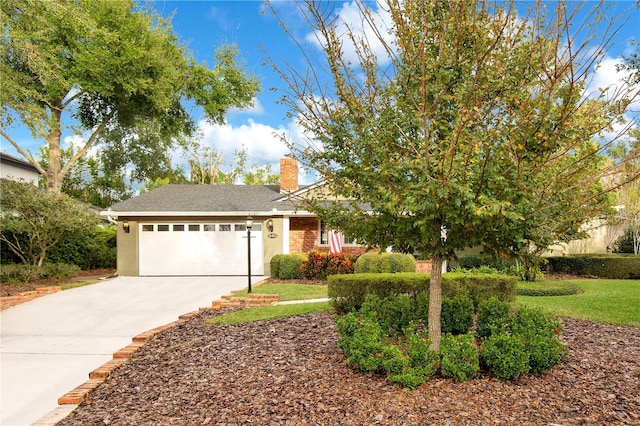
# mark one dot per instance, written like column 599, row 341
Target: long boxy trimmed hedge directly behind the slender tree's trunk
column 348, row 292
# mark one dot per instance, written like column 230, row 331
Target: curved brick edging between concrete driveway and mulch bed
column 69, row 401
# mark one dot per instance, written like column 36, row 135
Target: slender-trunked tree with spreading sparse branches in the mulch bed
column 467, row 125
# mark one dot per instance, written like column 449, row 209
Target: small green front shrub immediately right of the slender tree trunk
column 459, row 357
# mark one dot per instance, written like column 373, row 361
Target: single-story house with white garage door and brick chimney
column 201, row 229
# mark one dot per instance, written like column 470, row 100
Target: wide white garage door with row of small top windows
column 199, row 249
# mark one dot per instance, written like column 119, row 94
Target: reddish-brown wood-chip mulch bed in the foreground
column 290, row 372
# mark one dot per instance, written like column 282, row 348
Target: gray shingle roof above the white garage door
column 206, row 199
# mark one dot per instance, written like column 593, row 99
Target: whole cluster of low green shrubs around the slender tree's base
column 389, row 335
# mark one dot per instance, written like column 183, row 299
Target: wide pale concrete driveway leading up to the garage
column 50, row 345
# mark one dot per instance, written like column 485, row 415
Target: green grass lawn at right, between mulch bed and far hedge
column 607, row 301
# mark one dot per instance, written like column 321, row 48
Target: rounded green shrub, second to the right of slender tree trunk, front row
column 506, row 356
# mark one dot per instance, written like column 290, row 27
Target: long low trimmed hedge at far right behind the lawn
column 601, row 266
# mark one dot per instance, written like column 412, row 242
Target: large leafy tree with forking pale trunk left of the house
column 87, row 66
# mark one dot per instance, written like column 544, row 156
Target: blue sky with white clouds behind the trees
column 205, row 24
